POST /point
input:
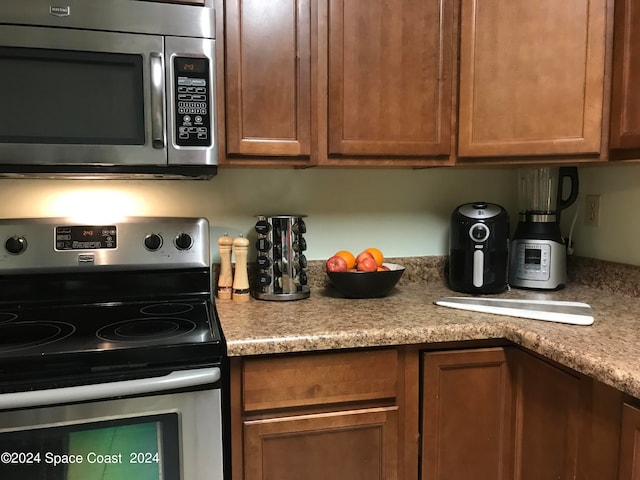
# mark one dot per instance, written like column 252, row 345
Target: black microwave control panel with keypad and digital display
column 192, row 102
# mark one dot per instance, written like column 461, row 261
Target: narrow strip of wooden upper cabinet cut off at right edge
column 625, row 98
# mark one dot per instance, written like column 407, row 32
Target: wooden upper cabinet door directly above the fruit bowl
column 390, row 77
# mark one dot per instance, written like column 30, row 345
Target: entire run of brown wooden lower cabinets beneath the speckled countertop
column 489, row 413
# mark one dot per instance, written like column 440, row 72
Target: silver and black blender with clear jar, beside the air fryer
column 538, row 256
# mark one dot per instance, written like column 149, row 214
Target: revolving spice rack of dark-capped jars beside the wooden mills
column 280, row 260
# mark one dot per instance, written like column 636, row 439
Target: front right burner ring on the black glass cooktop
column 149, row 329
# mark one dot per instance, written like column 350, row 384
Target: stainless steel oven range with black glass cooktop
column 112, row 359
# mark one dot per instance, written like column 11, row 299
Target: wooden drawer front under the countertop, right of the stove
column 318, row 379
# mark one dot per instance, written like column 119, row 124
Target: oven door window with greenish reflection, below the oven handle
column 140, row 448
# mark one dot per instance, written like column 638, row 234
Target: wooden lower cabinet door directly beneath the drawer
column 337, row 445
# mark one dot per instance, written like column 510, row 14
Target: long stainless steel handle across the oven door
column 55, row 396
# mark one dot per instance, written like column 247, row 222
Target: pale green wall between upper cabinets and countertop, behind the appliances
column 402, row 212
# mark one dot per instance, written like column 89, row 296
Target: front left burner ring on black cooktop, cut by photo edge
column 23, row 335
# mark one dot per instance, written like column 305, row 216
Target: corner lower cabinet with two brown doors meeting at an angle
column 504, row 413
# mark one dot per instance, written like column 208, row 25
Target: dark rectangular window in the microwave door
column 71, row 97
